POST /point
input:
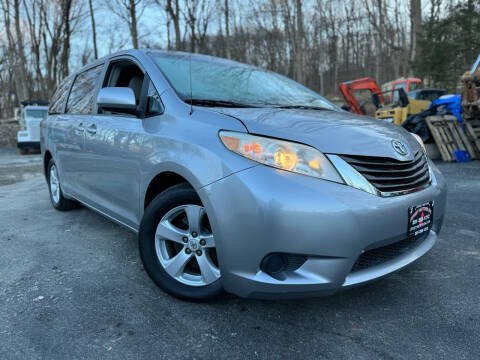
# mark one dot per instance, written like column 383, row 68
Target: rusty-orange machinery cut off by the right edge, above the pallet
column 471, row 91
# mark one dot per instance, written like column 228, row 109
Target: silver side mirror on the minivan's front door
column 118, row 99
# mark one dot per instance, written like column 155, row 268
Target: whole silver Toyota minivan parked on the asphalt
column 237, row 178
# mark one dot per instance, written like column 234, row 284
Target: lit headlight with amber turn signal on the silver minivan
column 281, row 154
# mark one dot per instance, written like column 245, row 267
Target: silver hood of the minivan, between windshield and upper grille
column 333, row 132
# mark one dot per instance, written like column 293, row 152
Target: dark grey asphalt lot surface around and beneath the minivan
column 72, row 286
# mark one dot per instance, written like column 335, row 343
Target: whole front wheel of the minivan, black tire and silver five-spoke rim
column 177, row 246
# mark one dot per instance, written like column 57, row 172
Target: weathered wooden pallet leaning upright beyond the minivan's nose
column 449, row 136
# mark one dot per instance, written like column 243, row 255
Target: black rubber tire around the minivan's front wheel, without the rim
column 177, row 195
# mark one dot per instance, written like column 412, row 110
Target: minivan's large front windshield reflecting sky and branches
column 227, row 81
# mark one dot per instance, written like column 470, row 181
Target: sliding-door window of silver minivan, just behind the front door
column 80, row 100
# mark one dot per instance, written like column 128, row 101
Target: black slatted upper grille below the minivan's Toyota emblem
column 391, row 175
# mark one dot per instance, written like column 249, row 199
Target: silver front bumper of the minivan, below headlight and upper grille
column 261, row 210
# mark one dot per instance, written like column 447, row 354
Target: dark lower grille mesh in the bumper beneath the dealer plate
column 383, row 254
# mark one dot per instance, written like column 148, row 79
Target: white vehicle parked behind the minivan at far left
column 28, row 138
